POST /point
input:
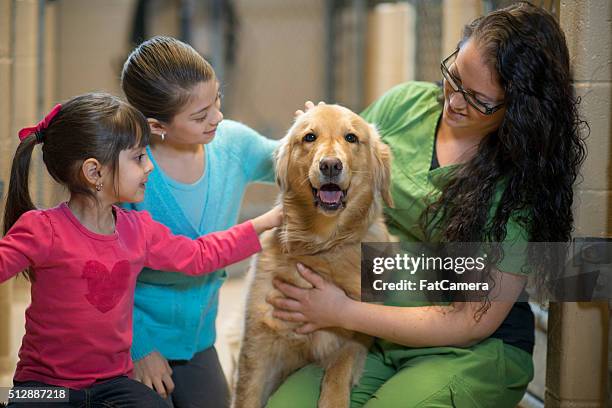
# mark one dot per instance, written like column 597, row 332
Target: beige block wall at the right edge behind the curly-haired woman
column 577, row 374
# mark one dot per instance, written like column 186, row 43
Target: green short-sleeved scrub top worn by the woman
column 406, row 118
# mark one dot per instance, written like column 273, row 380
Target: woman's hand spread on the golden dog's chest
column 317, row 307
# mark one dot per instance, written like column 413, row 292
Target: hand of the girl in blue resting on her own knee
column 154, row 371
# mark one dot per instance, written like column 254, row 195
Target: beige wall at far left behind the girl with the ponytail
column 27, row 84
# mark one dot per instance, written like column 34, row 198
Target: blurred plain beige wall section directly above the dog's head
column 280, row 62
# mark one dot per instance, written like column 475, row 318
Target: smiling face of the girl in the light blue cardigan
column 197, row 122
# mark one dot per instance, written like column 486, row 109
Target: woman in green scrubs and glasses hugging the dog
column 494, row 154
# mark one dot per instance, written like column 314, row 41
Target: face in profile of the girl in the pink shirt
column 132, row 174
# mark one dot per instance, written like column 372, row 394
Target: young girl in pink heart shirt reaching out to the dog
column 83, row 256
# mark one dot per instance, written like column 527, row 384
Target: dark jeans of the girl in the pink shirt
column 118, row 392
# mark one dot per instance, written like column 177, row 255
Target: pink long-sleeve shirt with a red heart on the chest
column 79, row 323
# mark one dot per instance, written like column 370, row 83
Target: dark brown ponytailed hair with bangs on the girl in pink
column 94, row 125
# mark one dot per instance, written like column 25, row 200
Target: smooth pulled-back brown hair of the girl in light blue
column 159, row 75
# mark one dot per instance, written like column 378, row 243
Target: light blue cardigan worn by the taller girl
column 174, row 313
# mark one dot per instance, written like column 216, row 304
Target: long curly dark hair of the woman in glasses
column 536, row 152
